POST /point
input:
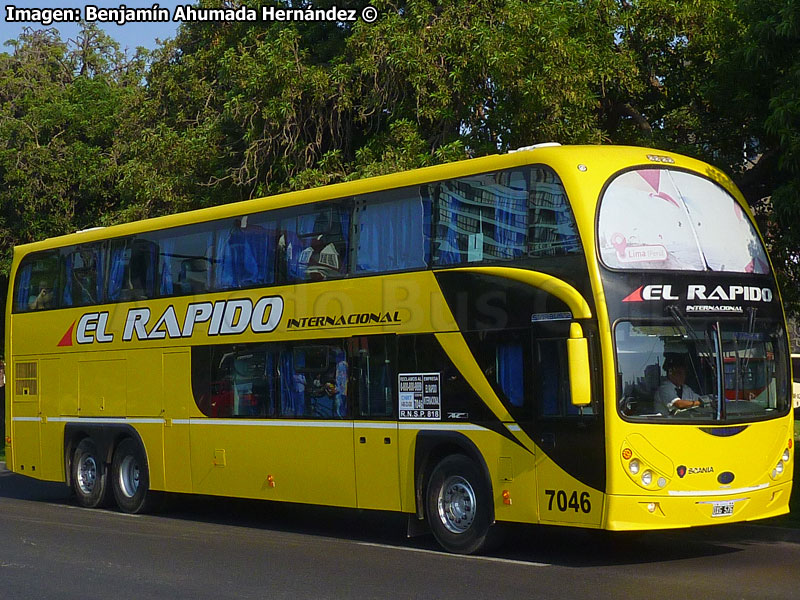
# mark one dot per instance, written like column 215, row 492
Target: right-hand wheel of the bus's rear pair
column 130, row 478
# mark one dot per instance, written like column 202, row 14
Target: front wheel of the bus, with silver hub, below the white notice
column 458, row 504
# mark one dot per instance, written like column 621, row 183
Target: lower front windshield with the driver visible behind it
column 671, row 370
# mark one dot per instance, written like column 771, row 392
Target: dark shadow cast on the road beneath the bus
column 526, row 543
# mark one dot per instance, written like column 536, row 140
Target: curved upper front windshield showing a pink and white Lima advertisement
column 672, row 220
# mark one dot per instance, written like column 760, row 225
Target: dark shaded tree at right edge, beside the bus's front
column 754, row 94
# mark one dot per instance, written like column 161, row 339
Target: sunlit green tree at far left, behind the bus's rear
column 59, row 114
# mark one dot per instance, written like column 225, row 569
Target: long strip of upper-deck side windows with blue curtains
column 519, row 214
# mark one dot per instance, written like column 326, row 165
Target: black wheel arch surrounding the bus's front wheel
column 433, row 446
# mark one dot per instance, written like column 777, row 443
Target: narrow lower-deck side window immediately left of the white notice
column 373, row 360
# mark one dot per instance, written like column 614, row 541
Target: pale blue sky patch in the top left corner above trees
column 129, row 35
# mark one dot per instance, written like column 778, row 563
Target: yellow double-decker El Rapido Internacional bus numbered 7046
column 581, row 336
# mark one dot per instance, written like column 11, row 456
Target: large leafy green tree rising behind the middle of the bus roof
column 265, row 108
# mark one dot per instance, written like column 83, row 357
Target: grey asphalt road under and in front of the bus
column 202, row 547
